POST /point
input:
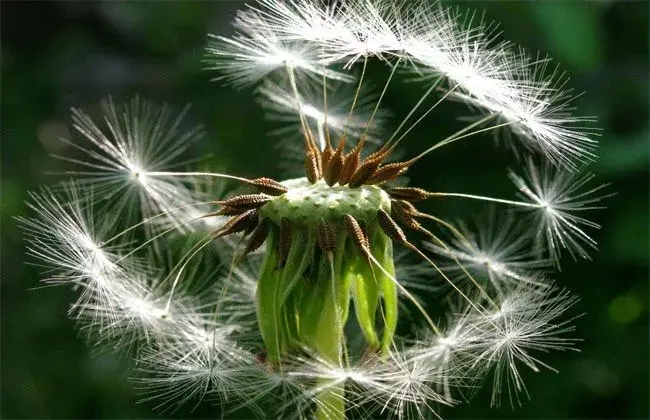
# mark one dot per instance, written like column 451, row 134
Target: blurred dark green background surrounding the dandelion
column 61, row 54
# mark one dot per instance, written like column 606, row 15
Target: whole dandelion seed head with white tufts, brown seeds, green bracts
column 288, row 296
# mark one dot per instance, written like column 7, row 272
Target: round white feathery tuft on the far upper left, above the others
column 125, row 156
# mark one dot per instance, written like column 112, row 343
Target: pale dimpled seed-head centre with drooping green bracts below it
column 303, row 297
